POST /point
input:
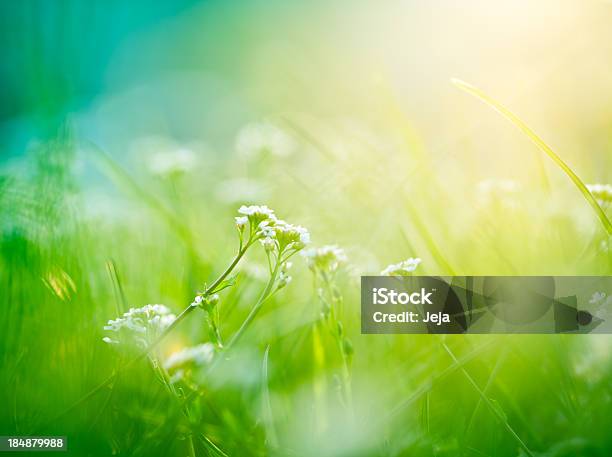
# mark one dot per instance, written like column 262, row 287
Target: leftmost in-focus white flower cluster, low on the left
column 140, row 326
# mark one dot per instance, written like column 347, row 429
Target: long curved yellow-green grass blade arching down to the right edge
column 541, row 145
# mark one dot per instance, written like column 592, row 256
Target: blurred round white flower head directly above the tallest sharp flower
column 257, row 139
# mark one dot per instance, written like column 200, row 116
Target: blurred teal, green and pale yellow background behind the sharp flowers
column 131, row 132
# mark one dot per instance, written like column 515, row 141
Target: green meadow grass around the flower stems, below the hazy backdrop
column 295, row 376
